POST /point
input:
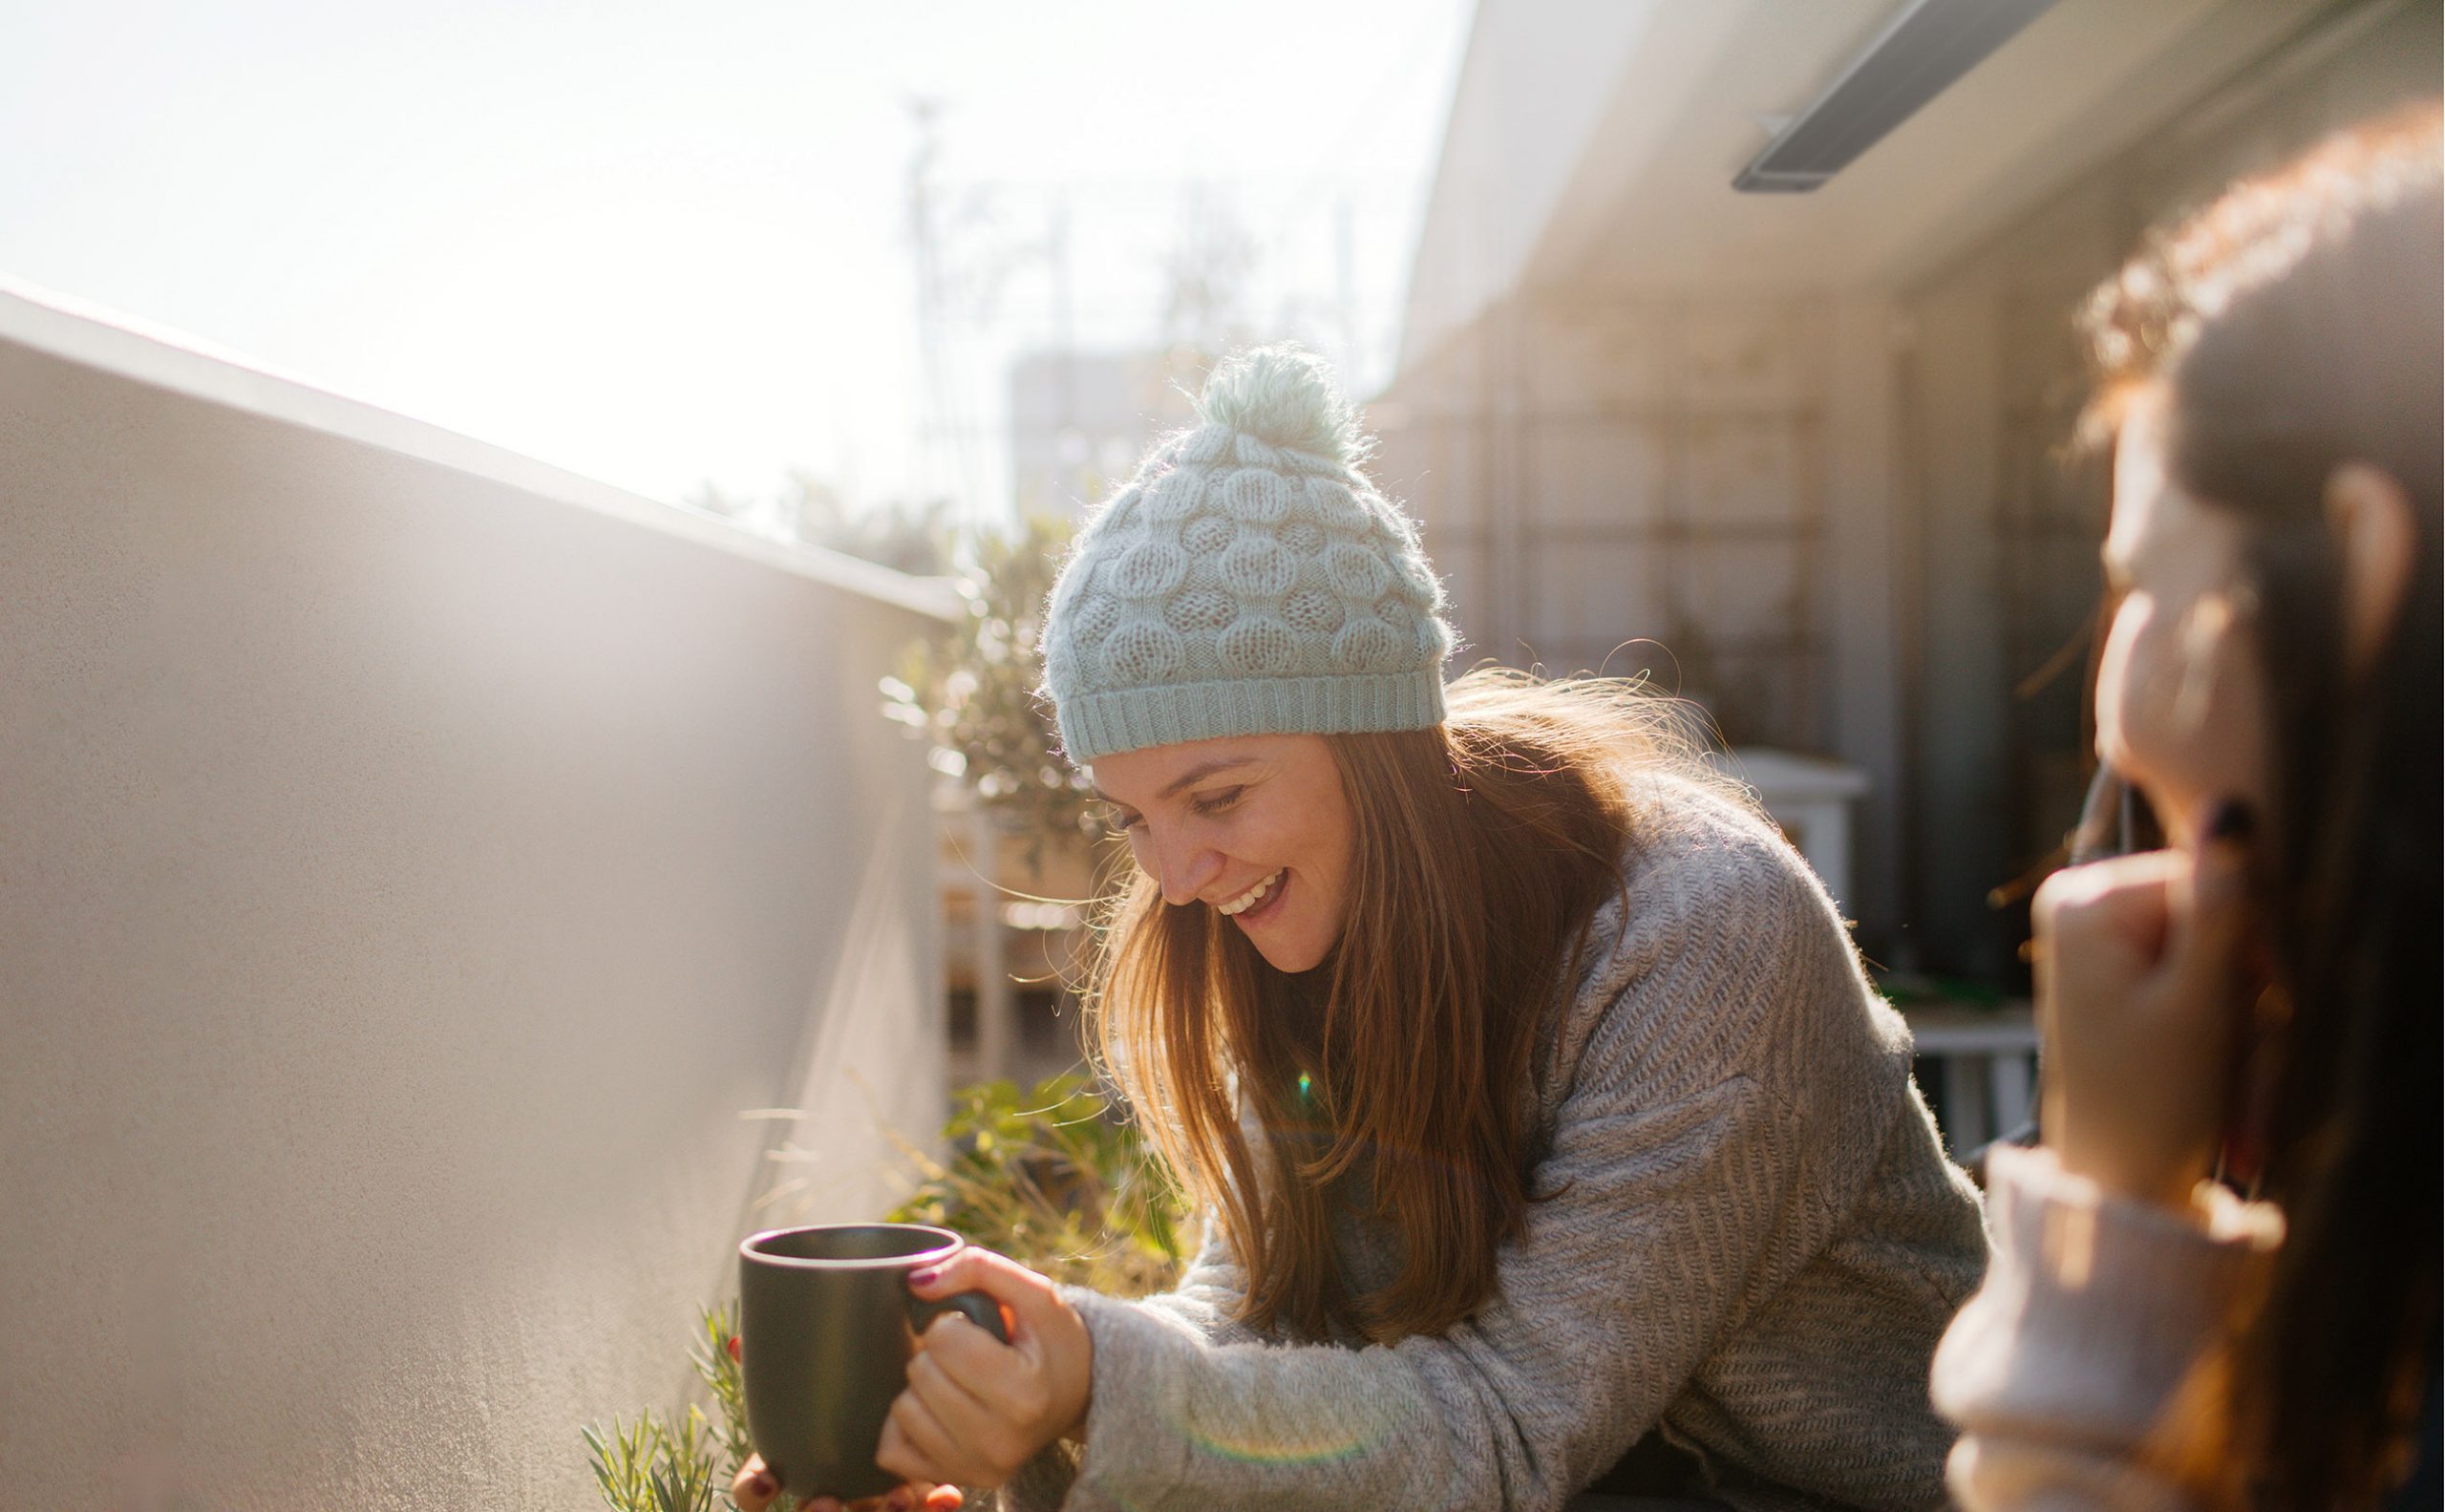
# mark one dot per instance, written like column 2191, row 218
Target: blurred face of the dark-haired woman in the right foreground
column 2182, row 696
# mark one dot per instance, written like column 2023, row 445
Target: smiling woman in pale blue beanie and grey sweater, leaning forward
column 1549, row 1132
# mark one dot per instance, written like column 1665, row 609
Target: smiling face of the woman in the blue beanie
column 1256, row 828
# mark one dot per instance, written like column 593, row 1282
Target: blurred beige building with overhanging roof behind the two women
column 1803, row 456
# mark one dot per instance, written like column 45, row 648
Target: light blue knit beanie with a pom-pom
column 1248, row 581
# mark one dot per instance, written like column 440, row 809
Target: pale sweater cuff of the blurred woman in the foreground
column 2089, row 1322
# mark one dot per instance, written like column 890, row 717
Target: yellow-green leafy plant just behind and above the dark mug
column 1053, row 1178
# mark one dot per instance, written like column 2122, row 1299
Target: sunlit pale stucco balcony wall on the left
column 412, row 865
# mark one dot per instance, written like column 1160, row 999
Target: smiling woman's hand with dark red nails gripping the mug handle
column 977, row 1408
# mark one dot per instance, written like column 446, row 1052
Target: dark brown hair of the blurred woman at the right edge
column 2295, row 329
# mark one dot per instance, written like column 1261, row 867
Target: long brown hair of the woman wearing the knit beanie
column 1400, row 1075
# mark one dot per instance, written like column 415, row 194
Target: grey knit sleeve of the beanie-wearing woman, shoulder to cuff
column 1678, row 1190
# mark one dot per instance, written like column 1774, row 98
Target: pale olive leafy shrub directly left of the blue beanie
column 974, row 689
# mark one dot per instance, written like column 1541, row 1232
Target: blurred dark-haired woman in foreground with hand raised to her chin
column 2260, row 1002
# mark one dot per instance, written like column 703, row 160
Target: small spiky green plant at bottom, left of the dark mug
column 686, row 1462
